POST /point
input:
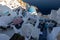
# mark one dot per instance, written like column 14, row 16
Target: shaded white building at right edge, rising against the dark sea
column 55, row 15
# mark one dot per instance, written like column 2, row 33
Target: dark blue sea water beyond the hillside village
column 45, row 6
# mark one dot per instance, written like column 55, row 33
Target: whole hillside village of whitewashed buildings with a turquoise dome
column 18, row 22
